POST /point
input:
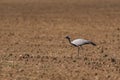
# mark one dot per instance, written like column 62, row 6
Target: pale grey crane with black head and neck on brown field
column 79, row 42
